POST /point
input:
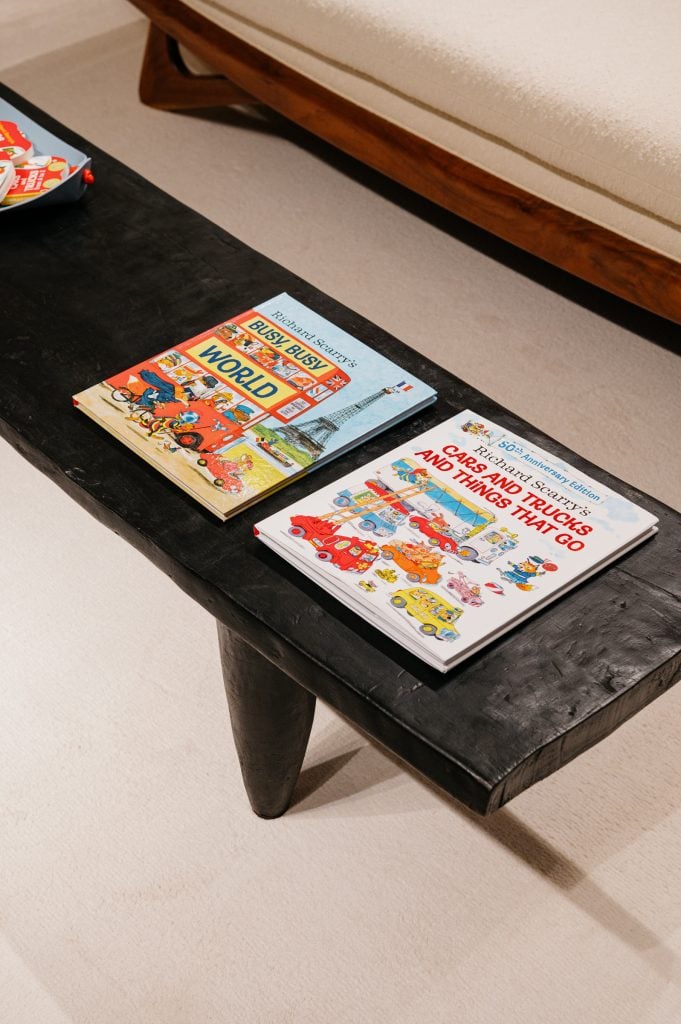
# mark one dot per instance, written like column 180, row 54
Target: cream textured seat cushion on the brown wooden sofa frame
column 577, row 104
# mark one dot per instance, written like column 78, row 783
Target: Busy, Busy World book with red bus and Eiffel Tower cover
column 258, row 401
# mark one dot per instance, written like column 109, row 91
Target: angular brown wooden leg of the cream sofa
column 167, row 83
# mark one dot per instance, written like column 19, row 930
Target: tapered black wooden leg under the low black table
column 272, row 718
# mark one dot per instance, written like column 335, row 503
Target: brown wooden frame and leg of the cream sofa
column 573, row 243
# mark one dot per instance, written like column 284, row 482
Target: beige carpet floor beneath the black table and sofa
column 136, row 885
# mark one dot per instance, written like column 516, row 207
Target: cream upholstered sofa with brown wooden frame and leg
column 555, row 125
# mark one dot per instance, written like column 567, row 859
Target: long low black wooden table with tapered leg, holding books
column 92, row 288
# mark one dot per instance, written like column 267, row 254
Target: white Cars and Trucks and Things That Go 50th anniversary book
column 456, row 537
